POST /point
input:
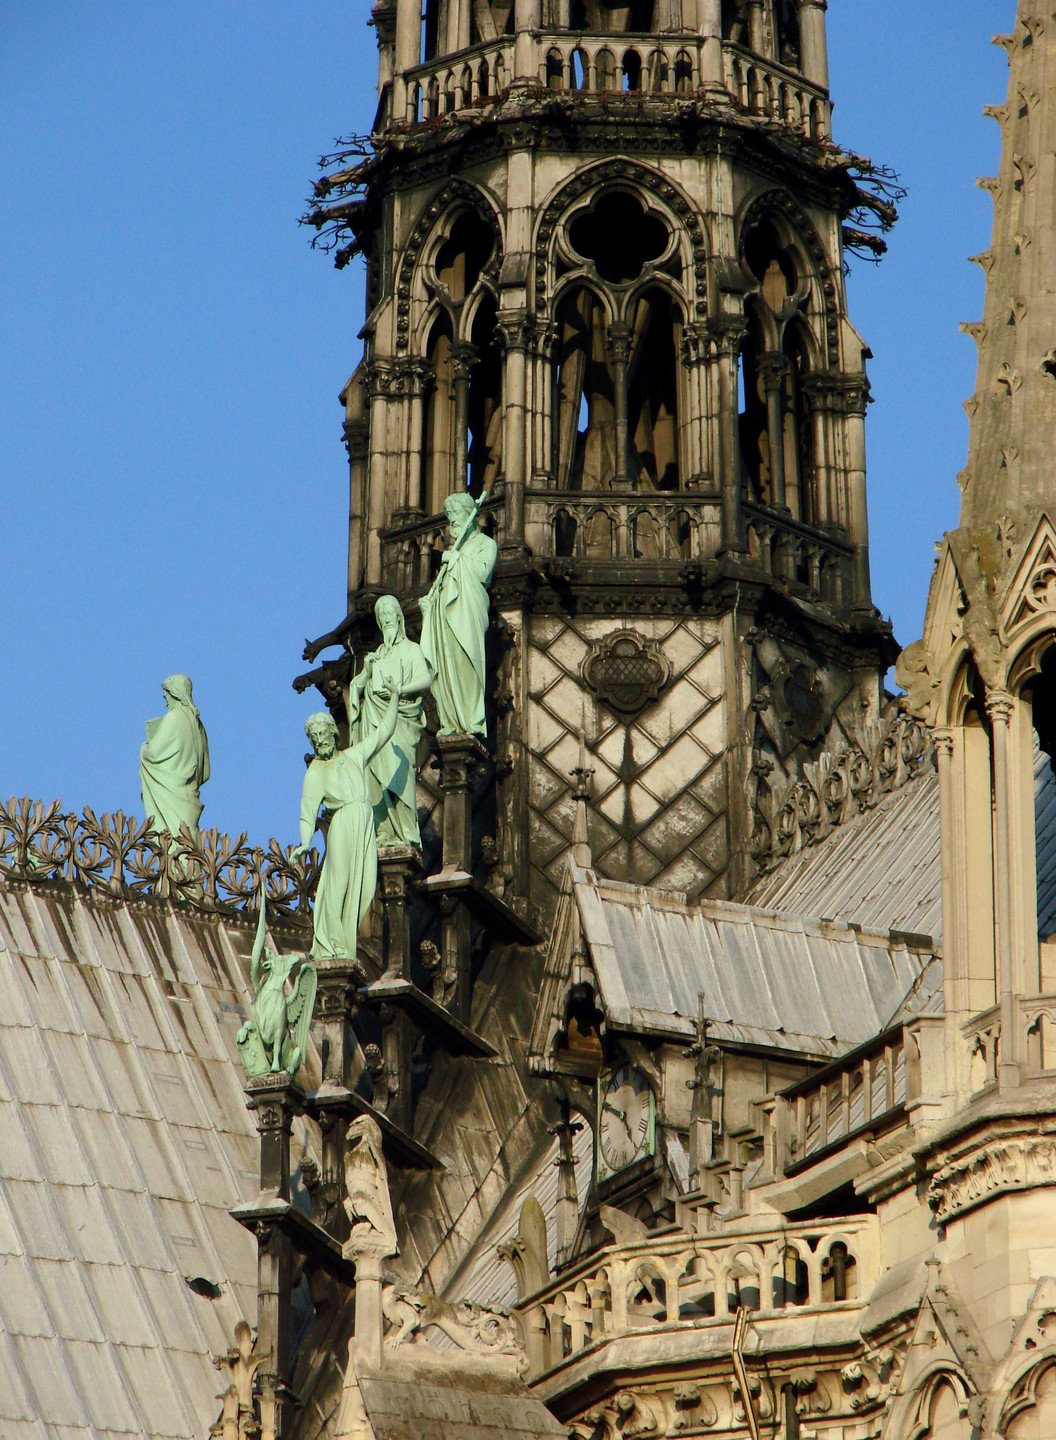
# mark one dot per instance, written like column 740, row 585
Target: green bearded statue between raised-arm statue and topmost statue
column 394, row 771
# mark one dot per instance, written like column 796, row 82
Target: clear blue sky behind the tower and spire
column 175, row 486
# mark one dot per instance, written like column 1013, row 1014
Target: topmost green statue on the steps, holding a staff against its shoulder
column 456, row 617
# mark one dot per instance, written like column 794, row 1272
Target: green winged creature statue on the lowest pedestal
column 264, row 1043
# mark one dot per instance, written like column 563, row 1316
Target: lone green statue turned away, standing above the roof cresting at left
column 175, row 761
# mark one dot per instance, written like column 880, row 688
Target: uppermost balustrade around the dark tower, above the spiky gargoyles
column 599, row 64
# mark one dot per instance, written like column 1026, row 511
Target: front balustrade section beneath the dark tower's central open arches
column 623, row 526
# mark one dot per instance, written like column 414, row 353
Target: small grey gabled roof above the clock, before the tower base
column 767, row 978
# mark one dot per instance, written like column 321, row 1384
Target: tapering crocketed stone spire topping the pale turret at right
column 1012, row 469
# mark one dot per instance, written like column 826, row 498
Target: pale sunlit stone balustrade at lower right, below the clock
column 682, row 1281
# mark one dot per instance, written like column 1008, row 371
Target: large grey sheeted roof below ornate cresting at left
column 125, row 1140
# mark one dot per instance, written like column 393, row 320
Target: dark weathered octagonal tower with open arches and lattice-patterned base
column 606, row 284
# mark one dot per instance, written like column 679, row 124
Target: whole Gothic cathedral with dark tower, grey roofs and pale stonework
column 691, row 1076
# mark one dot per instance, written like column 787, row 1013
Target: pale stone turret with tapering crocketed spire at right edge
column 983, row 678
